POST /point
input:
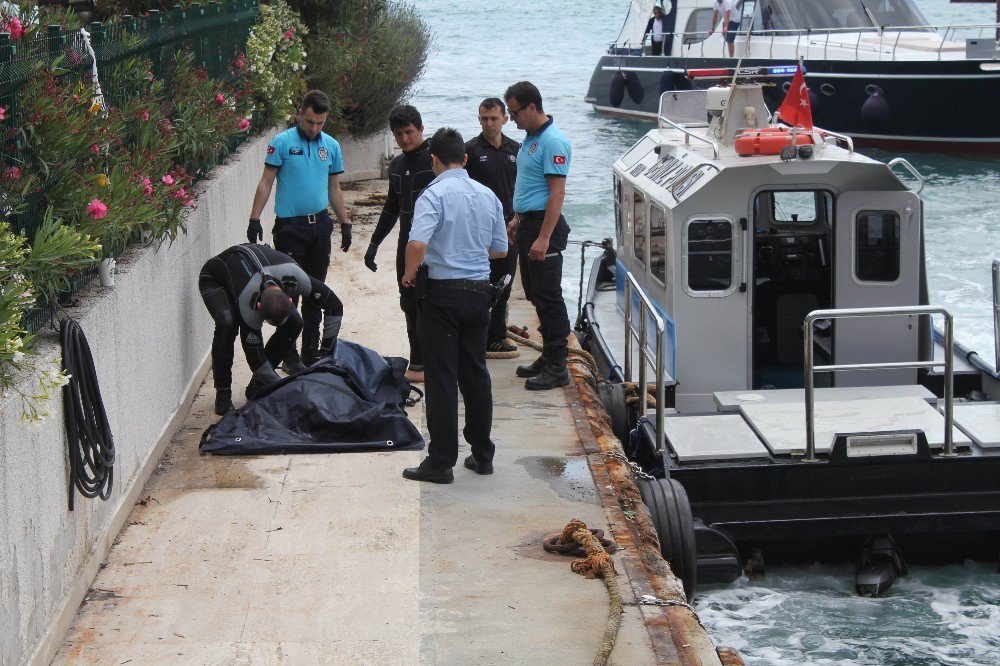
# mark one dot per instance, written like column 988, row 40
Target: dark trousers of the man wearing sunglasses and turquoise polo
column 542, row 282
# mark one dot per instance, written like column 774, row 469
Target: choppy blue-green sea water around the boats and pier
column 797, row 615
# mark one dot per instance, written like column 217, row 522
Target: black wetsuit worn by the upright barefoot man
column 409, row 174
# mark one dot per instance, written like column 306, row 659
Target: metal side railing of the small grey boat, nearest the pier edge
column 646, row 312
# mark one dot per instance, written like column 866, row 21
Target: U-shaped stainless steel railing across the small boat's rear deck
column 810, row 369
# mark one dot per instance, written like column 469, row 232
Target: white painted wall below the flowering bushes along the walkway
column 150, row 336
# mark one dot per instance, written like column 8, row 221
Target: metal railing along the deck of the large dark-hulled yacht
column 822, row 39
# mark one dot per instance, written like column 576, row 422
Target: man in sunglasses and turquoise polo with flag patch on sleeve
column 540, row 230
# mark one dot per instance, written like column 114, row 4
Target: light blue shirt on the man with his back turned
column 459, row 220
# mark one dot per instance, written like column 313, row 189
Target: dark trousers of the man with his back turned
column 452, row 329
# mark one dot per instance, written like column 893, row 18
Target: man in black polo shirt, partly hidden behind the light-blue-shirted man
column 491, row 159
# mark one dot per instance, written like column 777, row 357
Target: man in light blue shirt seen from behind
column 457, row 228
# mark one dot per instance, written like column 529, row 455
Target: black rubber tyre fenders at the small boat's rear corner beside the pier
column 670, row 509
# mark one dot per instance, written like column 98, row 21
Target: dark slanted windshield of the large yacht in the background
column 832, row 14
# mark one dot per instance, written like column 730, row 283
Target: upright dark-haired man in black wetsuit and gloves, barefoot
column 409, row 174
